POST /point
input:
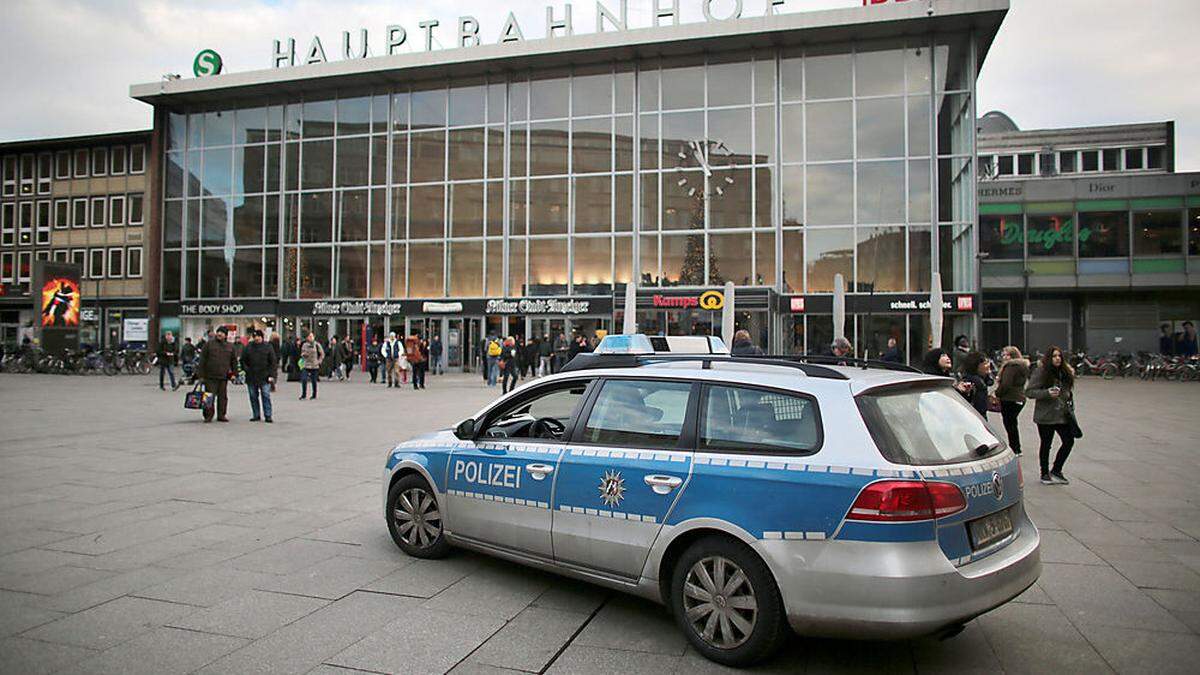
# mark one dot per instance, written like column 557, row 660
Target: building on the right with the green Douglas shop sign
column 1091, row 240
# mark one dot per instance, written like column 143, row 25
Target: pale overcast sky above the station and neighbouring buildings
column 1055, row 63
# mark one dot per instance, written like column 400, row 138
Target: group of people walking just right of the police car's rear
column 1051, row 385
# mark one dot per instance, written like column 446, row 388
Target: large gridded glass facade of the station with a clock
column 775, row 169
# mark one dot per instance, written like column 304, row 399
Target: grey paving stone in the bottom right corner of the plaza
column 1144, row 652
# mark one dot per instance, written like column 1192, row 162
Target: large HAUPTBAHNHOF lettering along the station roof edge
column 469, row 32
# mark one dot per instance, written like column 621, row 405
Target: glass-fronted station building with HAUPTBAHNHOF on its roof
column 517, row 188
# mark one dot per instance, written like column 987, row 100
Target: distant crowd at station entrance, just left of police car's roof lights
column 511, row 360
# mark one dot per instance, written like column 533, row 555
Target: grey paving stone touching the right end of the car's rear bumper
column 1100, row 595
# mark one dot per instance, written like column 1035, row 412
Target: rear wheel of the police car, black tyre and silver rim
column 727, row 602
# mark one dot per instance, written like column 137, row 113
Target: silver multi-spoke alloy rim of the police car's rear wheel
column 719, row 602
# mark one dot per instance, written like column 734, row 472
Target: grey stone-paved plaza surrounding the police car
column 134, row 539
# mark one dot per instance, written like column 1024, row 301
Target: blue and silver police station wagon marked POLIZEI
column 749, row 495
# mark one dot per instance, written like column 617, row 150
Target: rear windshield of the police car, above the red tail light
column 927, row 425
